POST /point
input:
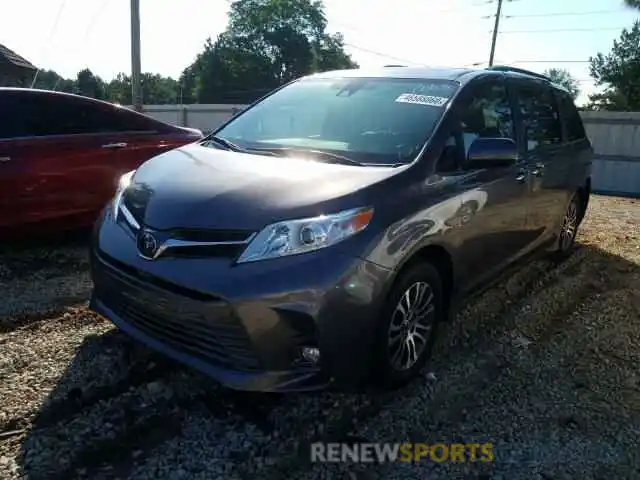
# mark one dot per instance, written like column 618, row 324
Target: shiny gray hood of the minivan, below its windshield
column 201, row 187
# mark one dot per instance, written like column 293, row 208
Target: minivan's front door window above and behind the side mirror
column 485, row 112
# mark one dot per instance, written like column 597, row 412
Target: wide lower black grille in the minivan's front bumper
column 207, row 330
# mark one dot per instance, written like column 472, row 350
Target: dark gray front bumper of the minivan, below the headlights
column 244, row 325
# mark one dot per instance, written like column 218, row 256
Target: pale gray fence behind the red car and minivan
column 615, row 137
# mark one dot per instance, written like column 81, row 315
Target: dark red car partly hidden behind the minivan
column 61, row 156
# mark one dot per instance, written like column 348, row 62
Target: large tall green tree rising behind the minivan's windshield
column 267, row 43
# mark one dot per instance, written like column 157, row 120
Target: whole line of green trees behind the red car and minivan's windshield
column 267, row 43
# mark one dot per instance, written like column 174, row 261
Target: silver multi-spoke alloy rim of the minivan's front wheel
column 410, row 327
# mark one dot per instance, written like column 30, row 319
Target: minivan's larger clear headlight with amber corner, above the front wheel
column 305, row 235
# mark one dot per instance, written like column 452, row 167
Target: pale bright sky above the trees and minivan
column 69, row 35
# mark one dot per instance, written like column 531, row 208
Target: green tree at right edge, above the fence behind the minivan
column 619, row 73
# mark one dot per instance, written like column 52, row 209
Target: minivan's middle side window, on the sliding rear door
column 540, row 117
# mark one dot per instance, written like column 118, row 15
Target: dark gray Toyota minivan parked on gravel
column 321, row 235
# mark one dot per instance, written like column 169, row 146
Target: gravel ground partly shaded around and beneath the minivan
column 545, row 366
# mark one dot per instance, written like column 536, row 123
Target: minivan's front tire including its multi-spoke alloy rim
column 393, row 368
